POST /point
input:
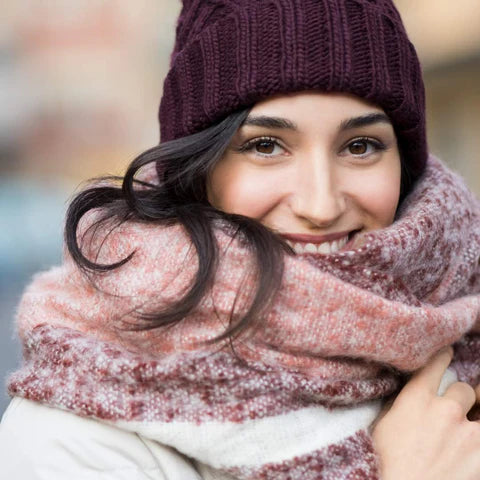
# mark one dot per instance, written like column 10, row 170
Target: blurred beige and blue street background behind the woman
column 80, row 84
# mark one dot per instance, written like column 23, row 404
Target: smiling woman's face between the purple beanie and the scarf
column 315, row 167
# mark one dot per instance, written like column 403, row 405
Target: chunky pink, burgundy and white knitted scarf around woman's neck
column 294, row 400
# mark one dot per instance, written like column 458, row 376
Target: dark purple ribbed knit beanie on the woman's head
column 229, row 54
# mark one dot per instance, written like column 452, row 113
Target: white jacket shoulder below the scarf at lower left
column 39, row 442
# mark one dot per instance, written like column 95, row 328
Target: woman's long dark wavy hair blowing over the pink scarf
column 180, row 197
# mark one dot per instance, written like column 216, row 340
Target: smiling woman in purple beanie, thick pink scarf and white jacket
column 243, row 309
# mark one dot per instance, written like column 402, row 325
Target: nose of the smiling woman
column 318, row 196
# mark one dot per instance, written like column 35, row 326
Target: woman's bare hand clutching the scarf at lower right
column 424, row 436
